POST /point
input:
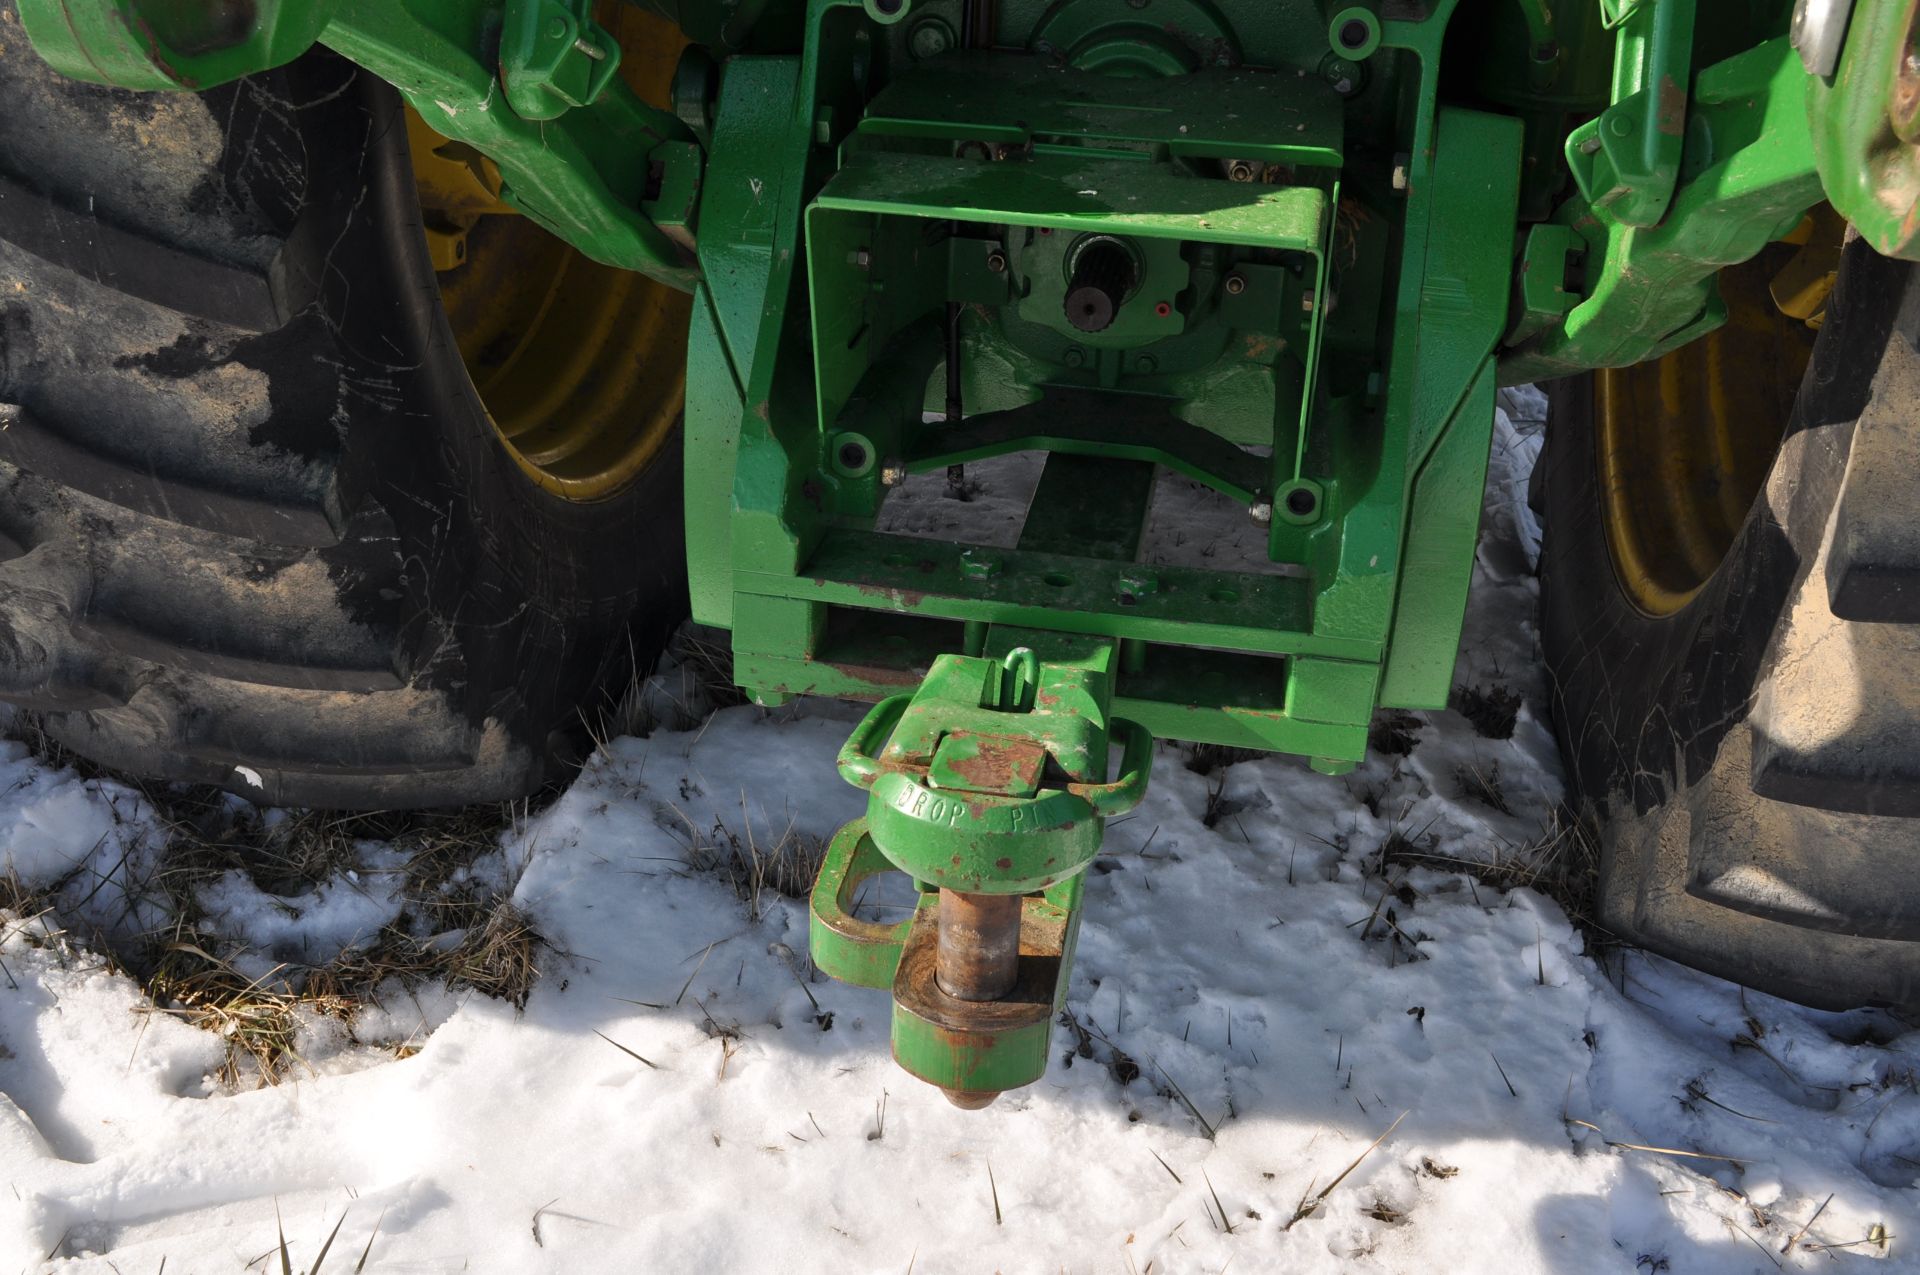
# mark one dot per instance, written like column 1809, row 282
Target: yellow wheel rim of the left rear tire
column 581, row 366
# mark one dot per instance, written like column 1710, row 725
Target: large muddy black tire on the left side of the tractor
column 256, row 529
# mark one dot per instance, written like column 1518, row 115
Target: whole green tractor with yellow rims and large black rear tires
column 383, row 377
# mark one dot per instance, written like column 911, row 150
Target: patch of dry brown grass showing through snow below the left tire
column 456, row 925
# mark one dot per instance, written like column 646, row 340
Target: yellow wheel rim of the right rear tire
column 1685, row 443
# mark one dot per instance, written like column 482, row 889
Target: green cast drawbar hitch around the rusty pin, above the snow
column 990, row 781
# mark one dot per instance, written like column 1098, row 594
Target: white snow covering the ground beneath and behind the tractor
column 1257, row 1003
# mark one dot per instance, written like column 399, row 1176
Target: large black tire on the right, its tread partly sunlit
column 1754, row 759
